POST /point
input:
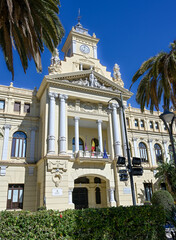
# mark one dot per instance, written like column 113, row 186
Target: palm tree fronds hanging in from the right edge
column 157, row 80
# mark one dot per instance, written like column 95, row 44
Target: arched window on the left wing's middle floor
column 19, row 144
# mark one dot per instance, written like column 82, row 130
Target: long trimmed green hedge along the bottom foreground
column 138, row 223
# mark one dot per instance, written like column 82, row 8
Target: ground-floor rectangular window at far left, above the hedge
column 15, row 196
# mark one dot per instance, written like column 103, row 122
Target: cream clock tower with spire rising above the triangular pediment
column 80, row 53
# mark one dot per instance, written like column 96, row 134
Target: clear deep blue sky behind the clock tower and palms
column 130, row 32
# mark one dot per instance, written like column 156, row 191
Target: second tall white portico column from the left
column 62, row 137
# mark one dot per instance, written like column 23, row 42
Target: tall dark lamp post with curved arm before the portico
column 120, row 102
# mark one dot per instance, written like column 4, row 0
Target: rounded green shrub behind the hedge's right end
column 163, row 198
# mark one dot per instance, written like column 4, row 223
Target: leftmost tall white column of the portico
column 51, row 135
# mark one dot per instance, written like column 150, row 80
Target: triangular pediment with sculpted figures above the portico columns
column 91, row 80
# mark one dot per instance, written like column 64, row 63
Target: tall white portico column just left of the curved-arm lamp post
column 117, row 147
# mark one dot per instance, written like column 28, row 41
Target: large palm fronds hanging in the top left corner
column 28, row 25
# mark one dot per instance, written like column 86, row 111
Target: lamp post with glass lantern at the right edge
column 168, row 118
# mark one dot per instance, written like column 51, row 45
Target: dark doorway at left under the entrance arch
column 80, row 198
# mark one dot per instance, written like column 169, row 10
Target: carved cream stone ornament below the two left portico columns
column 57, row 168
